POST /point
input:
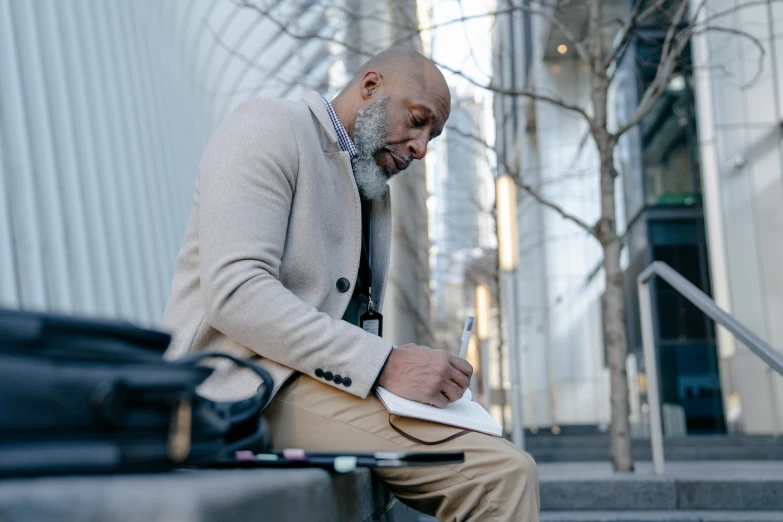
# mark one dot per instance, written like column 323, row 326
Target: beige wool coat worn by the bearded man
column 276, row 222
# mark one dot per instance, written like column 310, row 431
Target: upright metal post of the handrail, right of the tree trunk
column 651, row 369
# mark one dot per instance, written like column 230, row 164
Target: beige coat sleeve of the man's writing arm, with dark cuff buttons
column 247, row 179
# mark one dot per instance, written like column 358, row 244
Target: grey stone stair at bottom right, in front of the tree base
column 725, row 491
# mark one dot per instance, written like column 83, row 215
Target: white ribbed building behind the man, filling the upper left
column 105, row 109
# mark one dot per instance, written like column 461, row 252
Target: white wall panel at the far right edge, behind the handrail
column 744, row 119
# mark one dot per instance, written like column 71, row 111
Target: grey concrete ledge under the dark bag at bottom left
column 203, row 496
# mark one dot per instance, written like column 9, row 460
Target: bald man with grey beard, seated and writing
column 288, row 242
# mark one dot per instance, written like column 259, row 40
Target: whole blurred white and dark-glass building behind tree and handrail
column 702, row 189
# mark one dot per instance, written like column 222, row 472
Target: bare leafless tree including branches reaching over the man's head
column 598, row 48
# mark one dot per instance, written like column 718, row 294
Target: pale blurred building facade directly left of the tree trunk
column 564, row 379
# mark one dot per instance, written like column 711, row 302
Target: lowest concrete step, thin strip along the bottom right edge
column 662, row 516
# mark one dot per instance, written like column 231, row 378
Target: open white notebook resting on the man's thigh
column 463, row 413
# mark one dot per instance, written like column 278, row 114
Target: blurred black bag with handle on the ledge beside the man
column 96, row 396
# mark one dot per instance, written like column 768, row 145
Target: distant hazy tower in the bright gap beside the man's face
column 462, row 228
